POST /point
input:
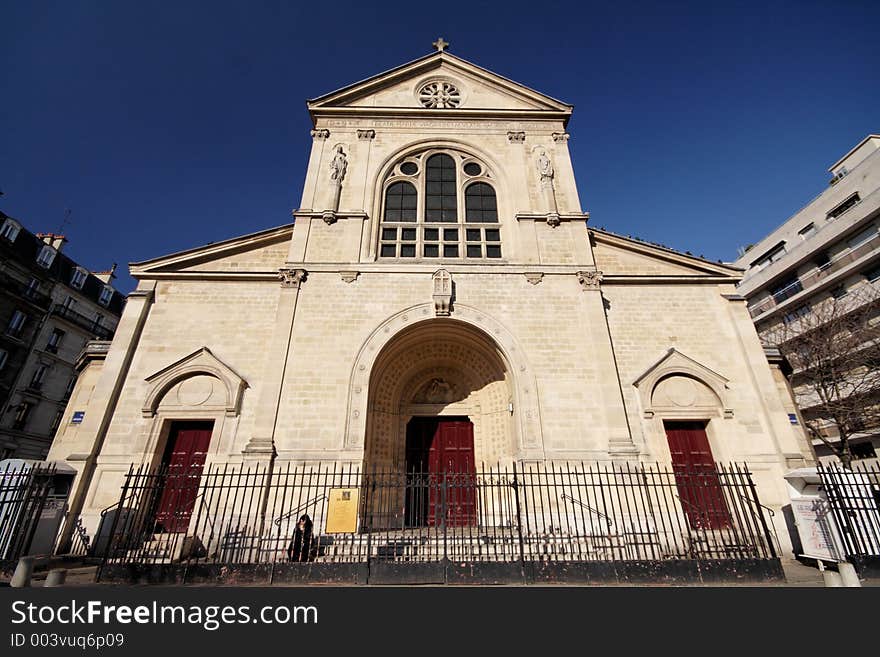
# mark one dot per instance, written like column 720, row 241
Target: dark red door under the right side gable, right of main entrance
column 696, row 476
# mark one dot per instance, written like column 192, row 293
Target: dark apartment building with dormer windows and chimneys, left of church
column 50, row 306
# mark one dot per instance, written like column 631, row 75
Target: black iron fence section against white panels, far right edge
column 854, row 498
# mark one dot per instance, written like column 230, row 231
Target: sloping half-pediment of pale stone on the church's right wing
column 623, row 256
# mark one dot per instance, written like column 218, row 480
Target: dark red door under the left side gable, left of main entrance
column 184, row 460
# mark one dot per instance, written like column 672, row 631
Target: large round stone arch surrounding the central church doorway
column 418, row 364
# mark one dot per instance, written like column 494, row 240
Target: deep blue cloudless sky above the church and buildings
column 163, row 126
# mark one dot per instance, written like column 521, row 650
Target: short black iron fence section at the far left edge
column 24, row 491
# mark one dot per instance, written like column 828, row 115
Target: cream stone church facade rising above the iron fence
column 440, row 279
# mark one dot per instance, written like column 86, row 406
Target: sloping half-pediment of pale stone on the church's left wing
column 265, row 251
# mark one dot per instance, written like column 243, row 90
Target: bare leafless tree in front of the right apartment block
column 833, row 348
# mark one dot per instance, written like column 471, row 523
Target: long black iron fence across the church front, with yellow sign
column 328, row 514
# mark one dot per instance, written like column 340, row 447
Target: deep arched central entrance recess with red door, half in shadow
column 439, row 385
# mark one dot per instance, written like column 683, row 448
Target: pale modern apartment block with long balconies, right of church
column 824, row 262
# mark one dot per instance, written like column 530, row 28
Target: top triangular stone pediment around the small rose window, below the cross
column 479, row 89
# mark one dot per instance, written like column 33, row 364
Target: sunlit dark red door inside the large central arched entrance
column 452, row 468
